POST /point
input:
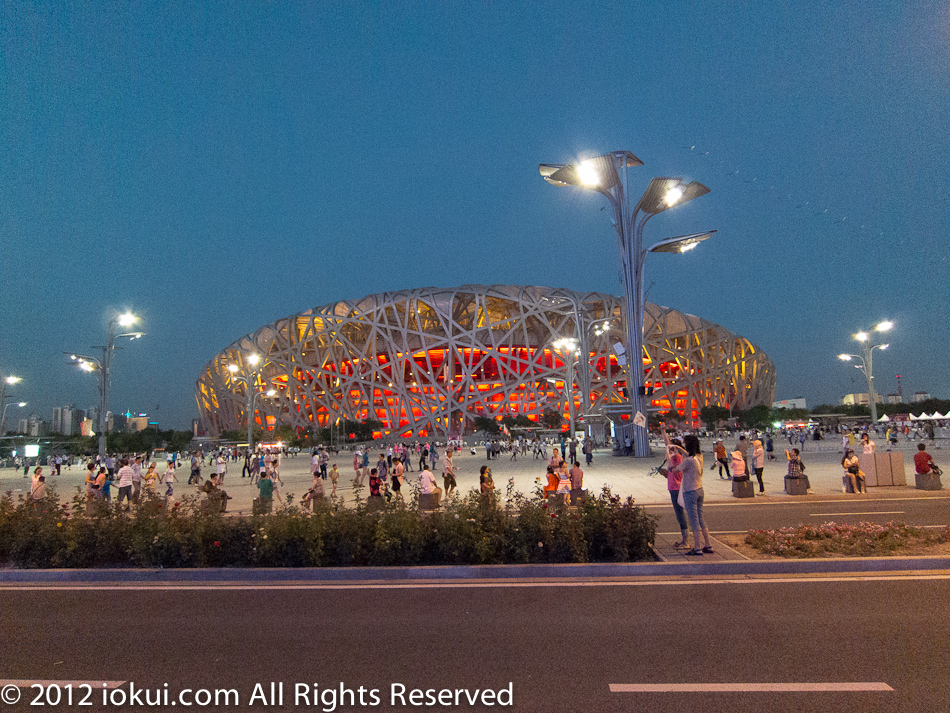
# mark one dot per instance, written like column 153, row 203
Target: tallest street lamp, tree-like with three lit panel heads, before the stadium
column 607, row 175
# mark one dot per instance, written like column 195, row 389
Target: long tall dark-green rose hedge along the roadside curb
column 475, row 528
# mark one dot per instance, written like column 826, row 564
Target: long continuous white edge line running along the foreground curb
column 685, row 580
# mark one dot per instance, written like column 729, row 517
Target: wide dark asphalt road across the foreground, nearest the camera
column 559, row 645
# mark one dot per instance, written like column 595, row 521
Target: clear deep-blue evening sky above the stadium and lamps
column 217, row 166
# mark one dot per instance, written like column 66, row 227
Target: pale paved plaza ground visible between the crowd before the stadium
column 623, row 475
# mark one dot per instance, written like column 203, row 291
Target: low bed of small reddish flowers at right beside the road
column 864, row 539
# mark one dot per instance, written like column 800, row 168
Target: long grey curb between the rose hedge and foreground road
column 484, row 572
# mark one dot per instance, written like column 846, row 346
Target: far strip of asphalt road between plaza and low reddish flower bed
column 739, row 516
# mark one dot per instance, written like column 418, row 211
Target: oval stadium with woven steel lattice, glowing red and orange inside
column 427, row 362
